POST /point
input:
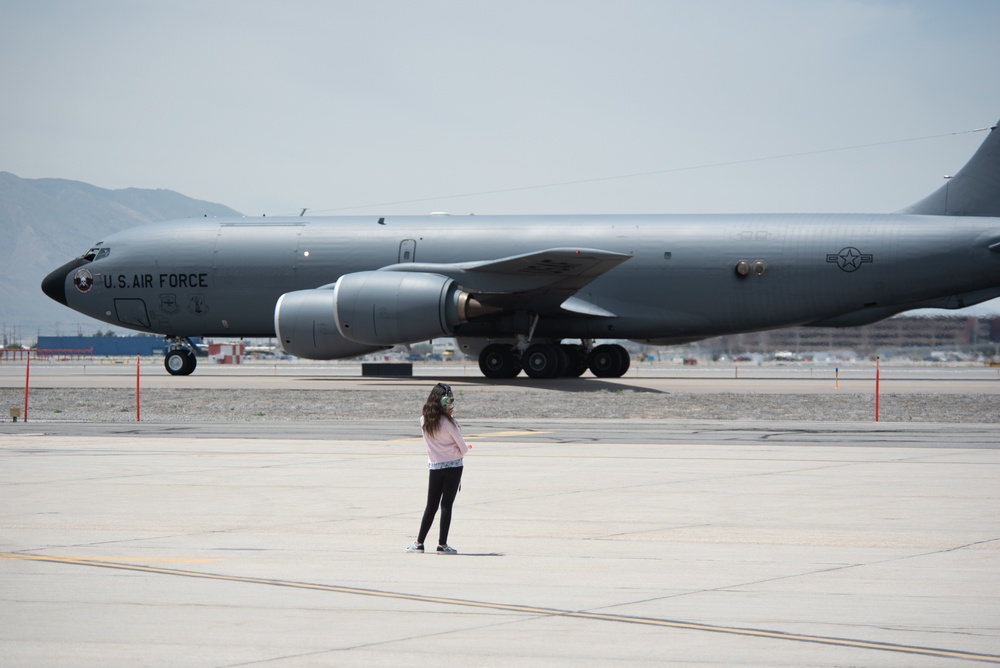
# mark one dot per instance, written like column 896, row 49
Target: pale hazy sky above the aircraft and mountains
column 392, row 107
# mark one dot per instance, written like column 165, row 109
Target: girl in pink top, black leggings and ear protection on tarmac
column 445, row 450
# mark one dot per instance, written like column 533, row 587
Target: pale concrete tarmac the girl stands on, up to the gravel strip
column 582, row 543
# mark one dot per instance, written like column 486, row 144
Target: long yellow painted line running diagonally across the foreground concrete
column 533, row 610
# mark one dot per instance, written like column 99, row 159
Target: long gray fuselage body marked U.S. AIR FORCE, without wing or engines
column 681, row 281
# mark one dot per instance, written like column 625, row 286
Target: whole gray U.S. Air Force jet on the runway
column 538, row 293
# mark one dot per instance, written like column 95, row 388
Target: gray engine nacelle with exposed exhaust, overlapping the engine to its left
column 390, row 307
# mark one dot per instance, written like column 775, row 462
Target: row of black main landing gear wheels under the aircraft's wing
column 551, row 360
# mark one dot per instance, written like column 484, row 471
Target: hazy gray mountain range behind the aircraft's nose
column 45, row 223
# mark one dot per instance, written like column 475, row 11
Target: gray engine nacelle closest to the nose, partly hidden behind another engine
column 306, row 327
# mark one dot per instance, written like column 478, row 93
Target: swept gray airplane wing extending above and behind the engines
column 542, row 281
